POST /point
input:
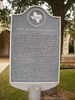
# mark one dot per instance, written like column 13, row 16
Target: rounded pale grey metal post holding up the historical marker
column 34, row 93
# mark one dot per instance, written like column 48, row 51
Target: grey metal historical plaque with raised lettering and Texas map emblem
column 35, row 46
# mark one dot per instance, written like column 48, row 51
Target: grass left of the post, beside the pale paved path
column 8, row 92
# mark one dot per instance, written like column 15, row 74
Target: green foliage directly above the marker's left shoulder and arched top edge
column 21, row 5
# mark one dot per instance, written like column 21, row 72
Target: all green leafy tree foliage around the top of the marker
column 20, row 6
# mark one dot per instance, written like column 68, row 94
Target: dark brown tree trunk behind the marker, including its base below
column 57, row 11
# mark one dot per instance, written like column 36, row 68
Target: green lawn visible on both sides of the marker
column 7, row 92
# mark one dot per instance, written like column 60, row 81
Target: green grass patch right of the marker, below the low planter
column 67, row 80
